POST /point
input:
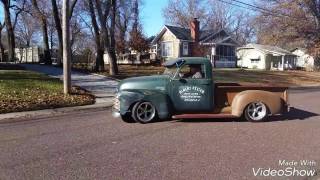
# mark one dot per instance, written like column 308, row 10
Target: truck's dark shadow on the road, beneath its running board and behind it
column 294, row 114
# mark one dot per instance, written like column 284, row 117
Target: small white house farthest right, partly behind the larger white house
column 304, row 60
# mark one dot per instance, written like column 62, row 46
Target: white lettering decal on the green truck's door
column 191, row 93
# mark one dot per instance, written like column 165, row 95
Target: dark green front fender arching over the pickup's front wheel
column 159, row 99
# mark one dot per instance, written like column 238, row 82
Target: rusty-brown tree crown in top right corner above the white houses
column 292, row 23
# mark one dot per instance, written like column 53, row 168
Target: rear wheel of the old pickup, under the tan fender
column 256, row 112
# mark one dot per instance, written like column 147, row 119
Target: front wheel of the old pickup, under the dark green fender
column 144, row 112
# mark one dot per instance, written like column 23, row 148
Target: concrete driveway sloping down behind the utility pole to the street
column 102, row 87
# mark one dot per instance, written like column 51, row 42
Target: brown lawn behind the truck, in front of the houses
column 285, row 78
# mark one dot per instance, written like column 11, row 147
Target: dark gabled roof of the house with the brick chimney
column 205, row 36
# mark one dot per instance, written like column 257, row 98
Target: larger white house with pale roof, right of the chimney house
column 257, row 56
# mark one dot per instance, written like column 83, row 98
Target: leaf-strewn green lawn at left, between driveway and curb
column 22, row 90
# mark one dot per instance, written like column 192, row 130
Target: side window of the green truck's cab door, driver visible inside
column 192, row 71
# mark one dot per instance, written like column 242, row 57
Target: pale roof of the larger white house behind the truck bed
column 267, row 49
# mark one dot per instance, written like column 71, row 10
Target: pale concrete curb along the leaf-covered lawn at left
column 50, row 112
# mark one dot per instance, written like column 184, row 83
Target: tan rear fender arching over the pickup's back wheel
column 243, row 99
